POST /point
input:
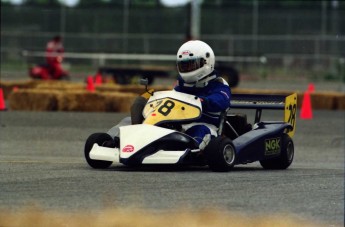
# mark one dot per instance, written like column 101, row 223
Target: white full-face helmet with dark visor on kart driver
column 195, row 61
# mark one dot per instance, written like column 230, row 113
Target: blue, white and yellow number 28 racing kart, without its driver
column 156, row 135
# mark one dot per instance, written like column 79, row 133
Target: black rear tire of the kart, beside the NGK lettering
column 284, row 160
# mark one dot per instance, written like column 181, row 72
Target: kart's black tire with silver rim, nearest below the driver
column 220, row 154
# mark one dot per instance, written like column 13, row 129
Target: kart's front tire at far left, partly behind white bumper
column 98, row 138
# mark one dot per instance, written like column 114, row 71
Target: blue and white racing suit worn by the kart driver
column 215, row 98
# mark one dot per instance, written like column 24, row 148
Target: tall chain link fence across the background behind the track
column 297, row 38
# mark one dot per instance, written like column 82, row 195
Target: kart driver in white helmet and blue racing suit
column 195, row 64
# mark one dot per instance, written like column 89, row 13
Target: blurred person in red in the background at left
column 54, row 57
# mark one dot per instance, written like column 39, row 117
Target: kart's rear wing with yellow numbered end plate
column 288, row 103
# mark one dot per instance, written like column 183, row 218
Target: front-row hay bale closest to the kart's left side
column 119, row 101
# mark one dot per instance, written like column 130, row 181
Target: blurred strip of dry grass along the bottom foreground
column 132, row 217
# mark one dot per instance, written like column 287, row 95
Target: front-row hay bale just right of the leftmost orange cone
column 33, row 100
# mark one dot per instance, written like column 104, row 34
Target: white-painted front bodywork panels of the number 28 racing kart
column 134, row 137
